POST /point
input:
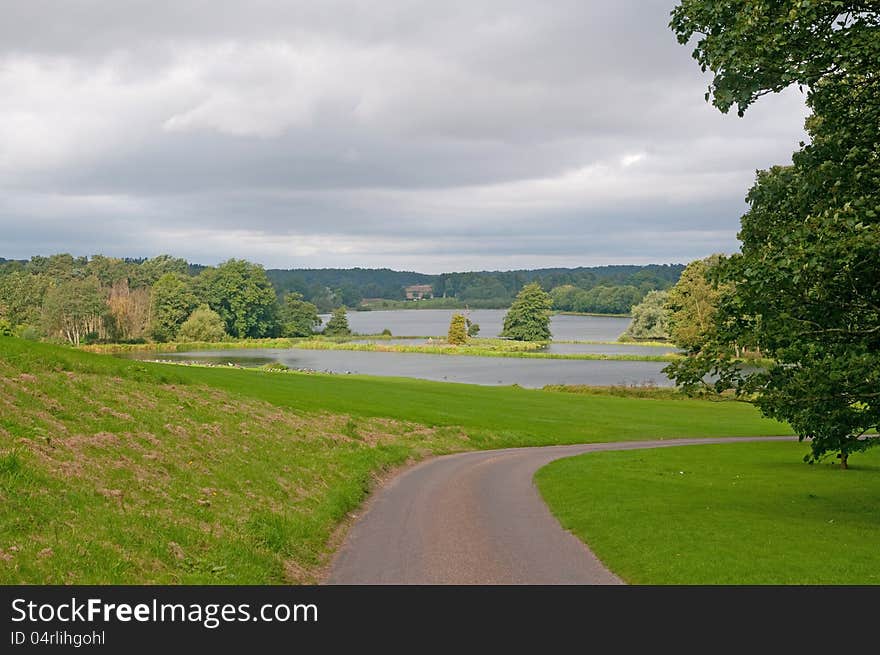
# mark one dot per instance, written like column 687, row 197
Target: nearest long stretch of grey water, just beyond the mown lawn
column 532, row 373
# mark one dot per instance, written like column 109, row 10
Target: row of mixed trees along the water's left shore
column 101, row 298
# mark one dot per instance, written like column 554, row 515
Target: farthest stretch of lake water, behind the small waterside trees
column 435, row 322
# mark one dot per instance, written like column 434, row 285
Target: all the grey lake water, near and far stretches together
column 532, row 373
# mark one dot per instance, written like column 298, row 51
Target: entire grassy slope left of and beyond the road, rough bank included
column 118, row 471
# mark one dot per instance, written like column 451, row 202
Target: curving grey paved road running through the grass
column 475, row 518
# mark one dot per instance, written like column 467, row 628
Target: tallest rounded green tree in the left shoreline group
column 240, row 292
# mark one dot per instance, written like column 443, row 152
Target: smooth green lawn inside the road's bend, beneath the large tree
column 749, row 513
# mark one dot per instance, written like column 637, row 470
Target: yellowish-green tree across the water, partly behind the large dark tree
column 693, row 303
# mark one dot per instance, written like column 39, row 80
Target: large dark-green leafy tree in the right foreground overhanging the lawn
column 807, row 280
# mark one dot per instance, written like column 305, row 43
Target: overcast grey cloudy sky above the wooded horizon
column 417, row 135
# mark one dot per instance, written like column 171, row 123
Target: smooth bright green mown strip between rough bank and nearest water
column 495, row 417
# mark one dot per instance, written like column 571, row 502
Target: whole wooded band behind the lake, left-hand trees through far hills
column 89, row 299
